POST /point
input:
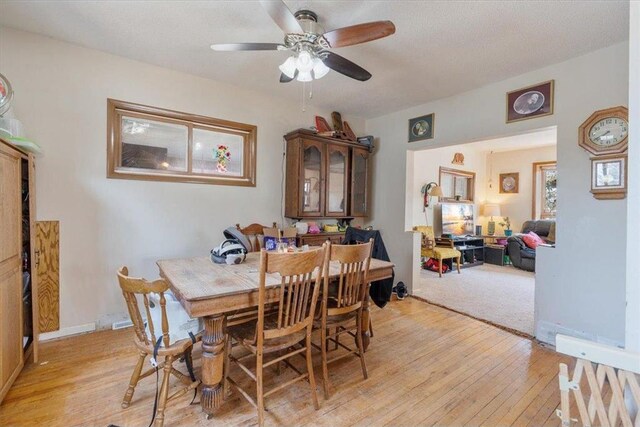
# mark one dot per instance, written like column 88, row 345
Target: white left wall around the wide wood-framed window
column 61, row 93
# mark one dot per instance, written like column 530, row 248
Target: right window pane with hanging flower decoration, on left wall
column 217, row 153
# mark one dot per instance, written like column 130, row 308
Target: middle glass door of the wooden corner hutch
column 337, row 180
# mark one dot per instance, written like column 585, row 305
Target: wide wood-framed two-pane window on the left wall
column 162, row 145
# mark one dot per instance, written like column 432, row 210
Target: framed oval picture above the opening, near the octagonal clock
column 529, row 102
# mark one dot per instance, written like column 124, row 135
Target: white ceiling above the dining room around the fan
column 440, row 47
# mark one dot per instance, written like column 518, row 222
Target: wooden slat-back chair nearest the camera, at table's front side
column 285, row 333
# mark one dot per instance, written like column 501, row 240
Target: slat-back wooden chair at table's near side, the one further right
column 341, row 308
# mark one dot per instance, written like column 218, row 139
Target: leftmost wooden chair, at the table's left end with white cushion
column 146, row 339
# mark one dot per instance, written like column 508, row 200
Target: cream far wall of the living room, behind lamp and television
column 517, row 206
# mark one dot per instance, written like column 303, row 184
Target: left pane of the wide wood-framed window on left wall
column 150, row 144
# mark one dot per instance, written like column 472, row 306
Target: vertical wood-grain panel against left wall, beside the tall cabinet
column 48, row 274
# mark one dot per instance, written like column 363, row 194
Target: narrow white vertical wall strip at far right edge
column 633, row 204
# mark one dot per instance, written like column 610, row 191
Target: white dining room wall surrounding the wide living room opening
column 573, row 290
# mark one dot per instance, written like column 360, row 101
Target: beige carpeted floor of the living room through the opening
column 501, row 295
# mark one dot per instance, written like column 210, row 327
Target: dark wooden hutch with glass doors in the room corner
column 326, row 177
